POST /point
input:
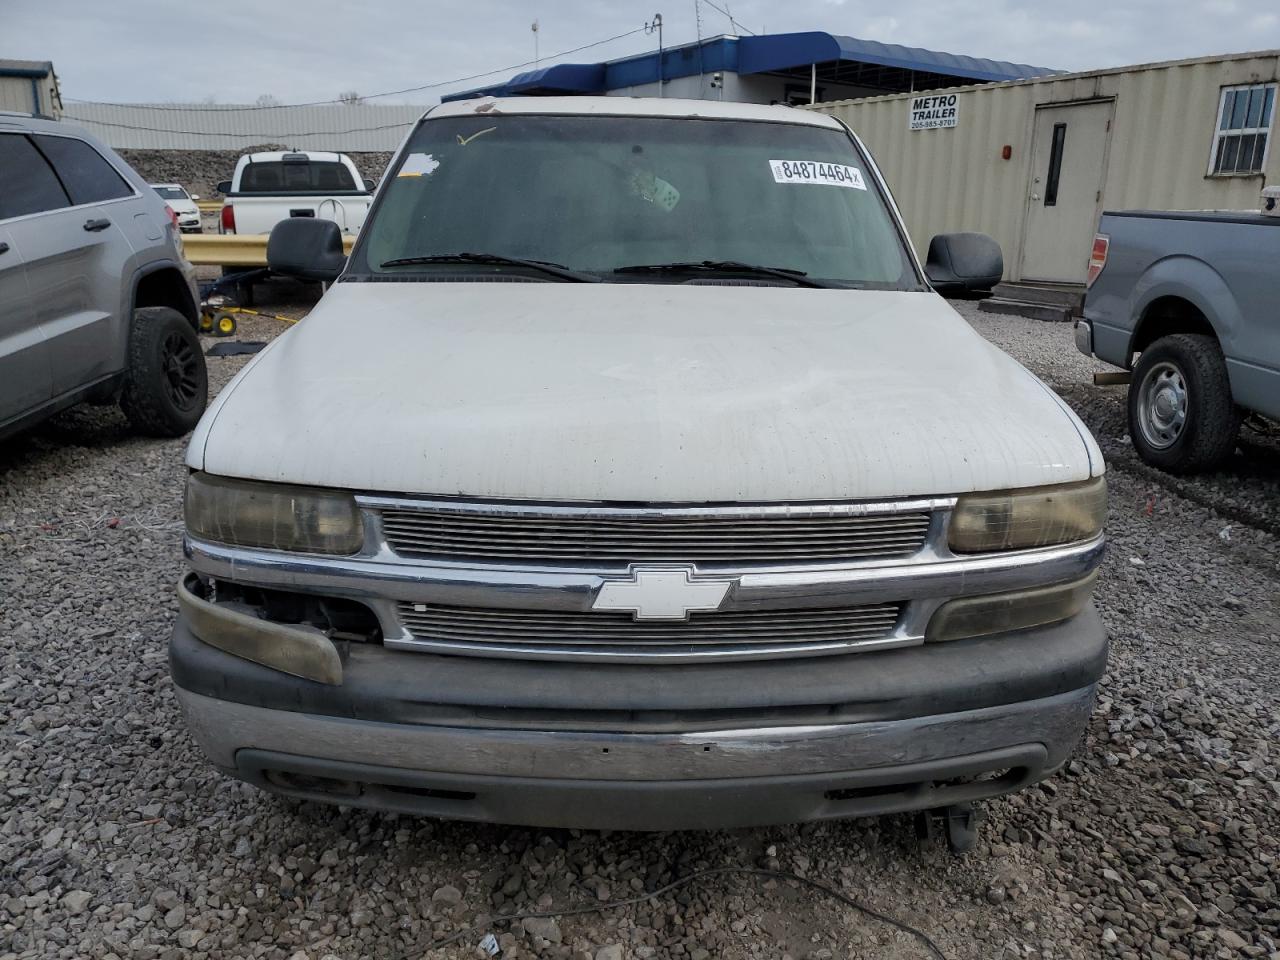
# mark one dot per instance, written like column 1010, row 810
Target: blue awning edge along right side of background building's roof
column 788, row 52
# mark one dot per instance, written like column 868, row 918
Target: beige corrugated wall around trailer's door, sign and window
column 956, row 180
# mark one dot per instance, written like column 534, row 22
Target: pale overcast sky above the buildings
column 296, row 51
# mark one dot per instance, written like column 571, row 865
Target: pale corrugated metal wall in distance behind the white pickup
column 363, row 127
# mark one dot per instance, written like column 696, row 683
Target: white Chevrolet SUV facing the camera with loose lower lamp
column 633, row 476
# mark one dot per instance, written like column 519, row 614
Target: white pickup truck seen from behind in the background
column 272, row 188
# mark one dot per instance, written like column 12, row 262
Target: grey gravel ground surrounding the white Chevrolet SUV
column 118, row 842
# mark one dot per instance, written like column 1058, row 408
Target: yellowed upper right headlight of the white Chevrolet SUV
column 1036, row 516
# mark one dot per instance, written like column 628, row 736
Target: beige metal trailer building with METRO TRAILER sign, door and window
column 1034, row 163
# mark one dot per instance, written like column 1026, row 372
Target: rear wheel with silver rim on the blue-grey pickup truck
column 1181, row 413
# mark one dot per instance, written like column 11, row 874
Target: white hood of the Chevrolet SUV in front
column 639, row 392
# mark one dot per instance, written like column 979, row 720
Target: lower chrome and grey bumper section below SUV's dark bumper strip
column 611, row 780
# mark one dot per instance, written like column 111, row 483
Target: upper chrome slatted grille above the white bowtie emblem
column 785, row 534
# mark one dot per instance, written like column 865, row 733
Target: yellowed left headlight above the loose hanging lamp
column 281, row 518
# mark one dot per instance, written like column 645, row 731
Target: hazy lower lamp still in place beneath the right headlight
column 1018, row 610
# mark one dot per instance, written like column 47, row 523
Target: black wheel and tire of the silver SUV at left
column 166, row 385
